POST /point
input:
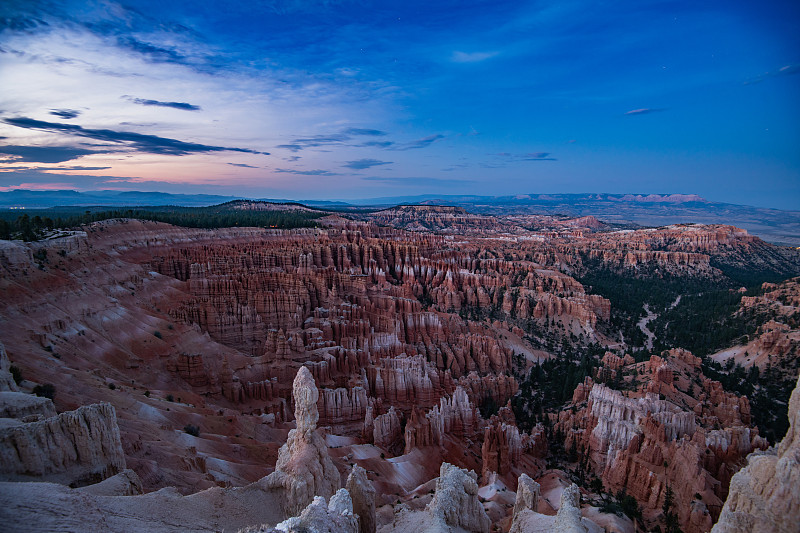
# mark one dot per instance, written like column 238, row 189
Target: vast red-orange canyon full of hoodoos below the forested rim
column 374, row 374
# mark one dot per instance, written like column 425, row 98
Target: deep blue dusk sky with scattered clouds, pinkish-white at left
column 357, row 99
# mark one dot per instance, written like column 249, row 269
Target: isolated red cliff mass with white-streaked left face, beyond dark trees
column 658, row 435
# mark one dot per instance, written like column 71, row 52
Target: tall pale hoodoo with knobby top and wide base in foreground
column 304, row 468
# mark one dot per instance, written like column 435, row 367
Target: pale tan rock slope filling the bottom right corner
column 765, row 495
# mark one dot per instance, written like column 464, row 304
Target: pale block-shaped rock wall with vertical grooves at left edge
column 74, row 448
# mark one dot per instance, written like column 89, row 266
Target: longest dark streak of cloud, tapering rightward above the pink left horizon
column 152, row 144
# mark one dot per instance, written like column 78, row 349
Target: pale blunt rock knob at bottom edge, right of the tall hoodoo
column 456, row 502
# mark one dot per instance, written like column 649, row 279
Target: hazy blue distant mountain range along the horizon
column 774, row 225
